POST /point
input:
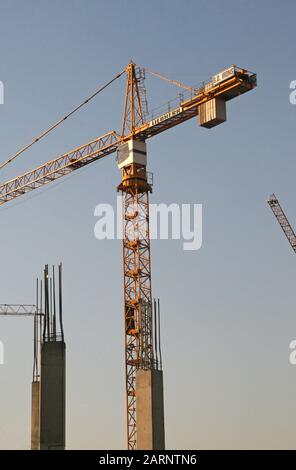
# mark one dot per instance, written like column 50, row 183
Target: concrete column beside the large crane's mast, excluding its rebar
column 150, row 410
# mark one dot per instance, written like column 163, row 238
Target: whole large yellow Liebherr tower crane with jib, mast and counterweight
column 208, row 102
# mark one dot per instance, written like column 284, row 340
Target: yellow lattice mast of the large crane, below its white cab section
column 137, row 284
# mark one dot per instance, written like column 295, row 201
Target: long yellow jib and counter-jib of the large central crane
column 238, row 83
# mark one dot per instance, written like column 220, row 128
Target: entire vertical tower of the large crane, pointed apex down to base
column 135, row 189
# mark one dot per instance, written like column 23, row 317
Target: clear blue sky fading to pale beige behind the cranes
column 229, row 308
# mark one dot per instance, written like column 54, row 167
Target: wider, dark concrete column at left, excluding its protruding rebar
column 52, row 398
